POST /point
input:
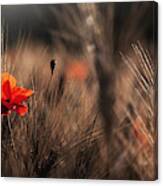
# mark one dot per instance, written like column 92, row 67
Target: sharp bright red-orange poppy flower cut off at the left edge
column 13, row 97
